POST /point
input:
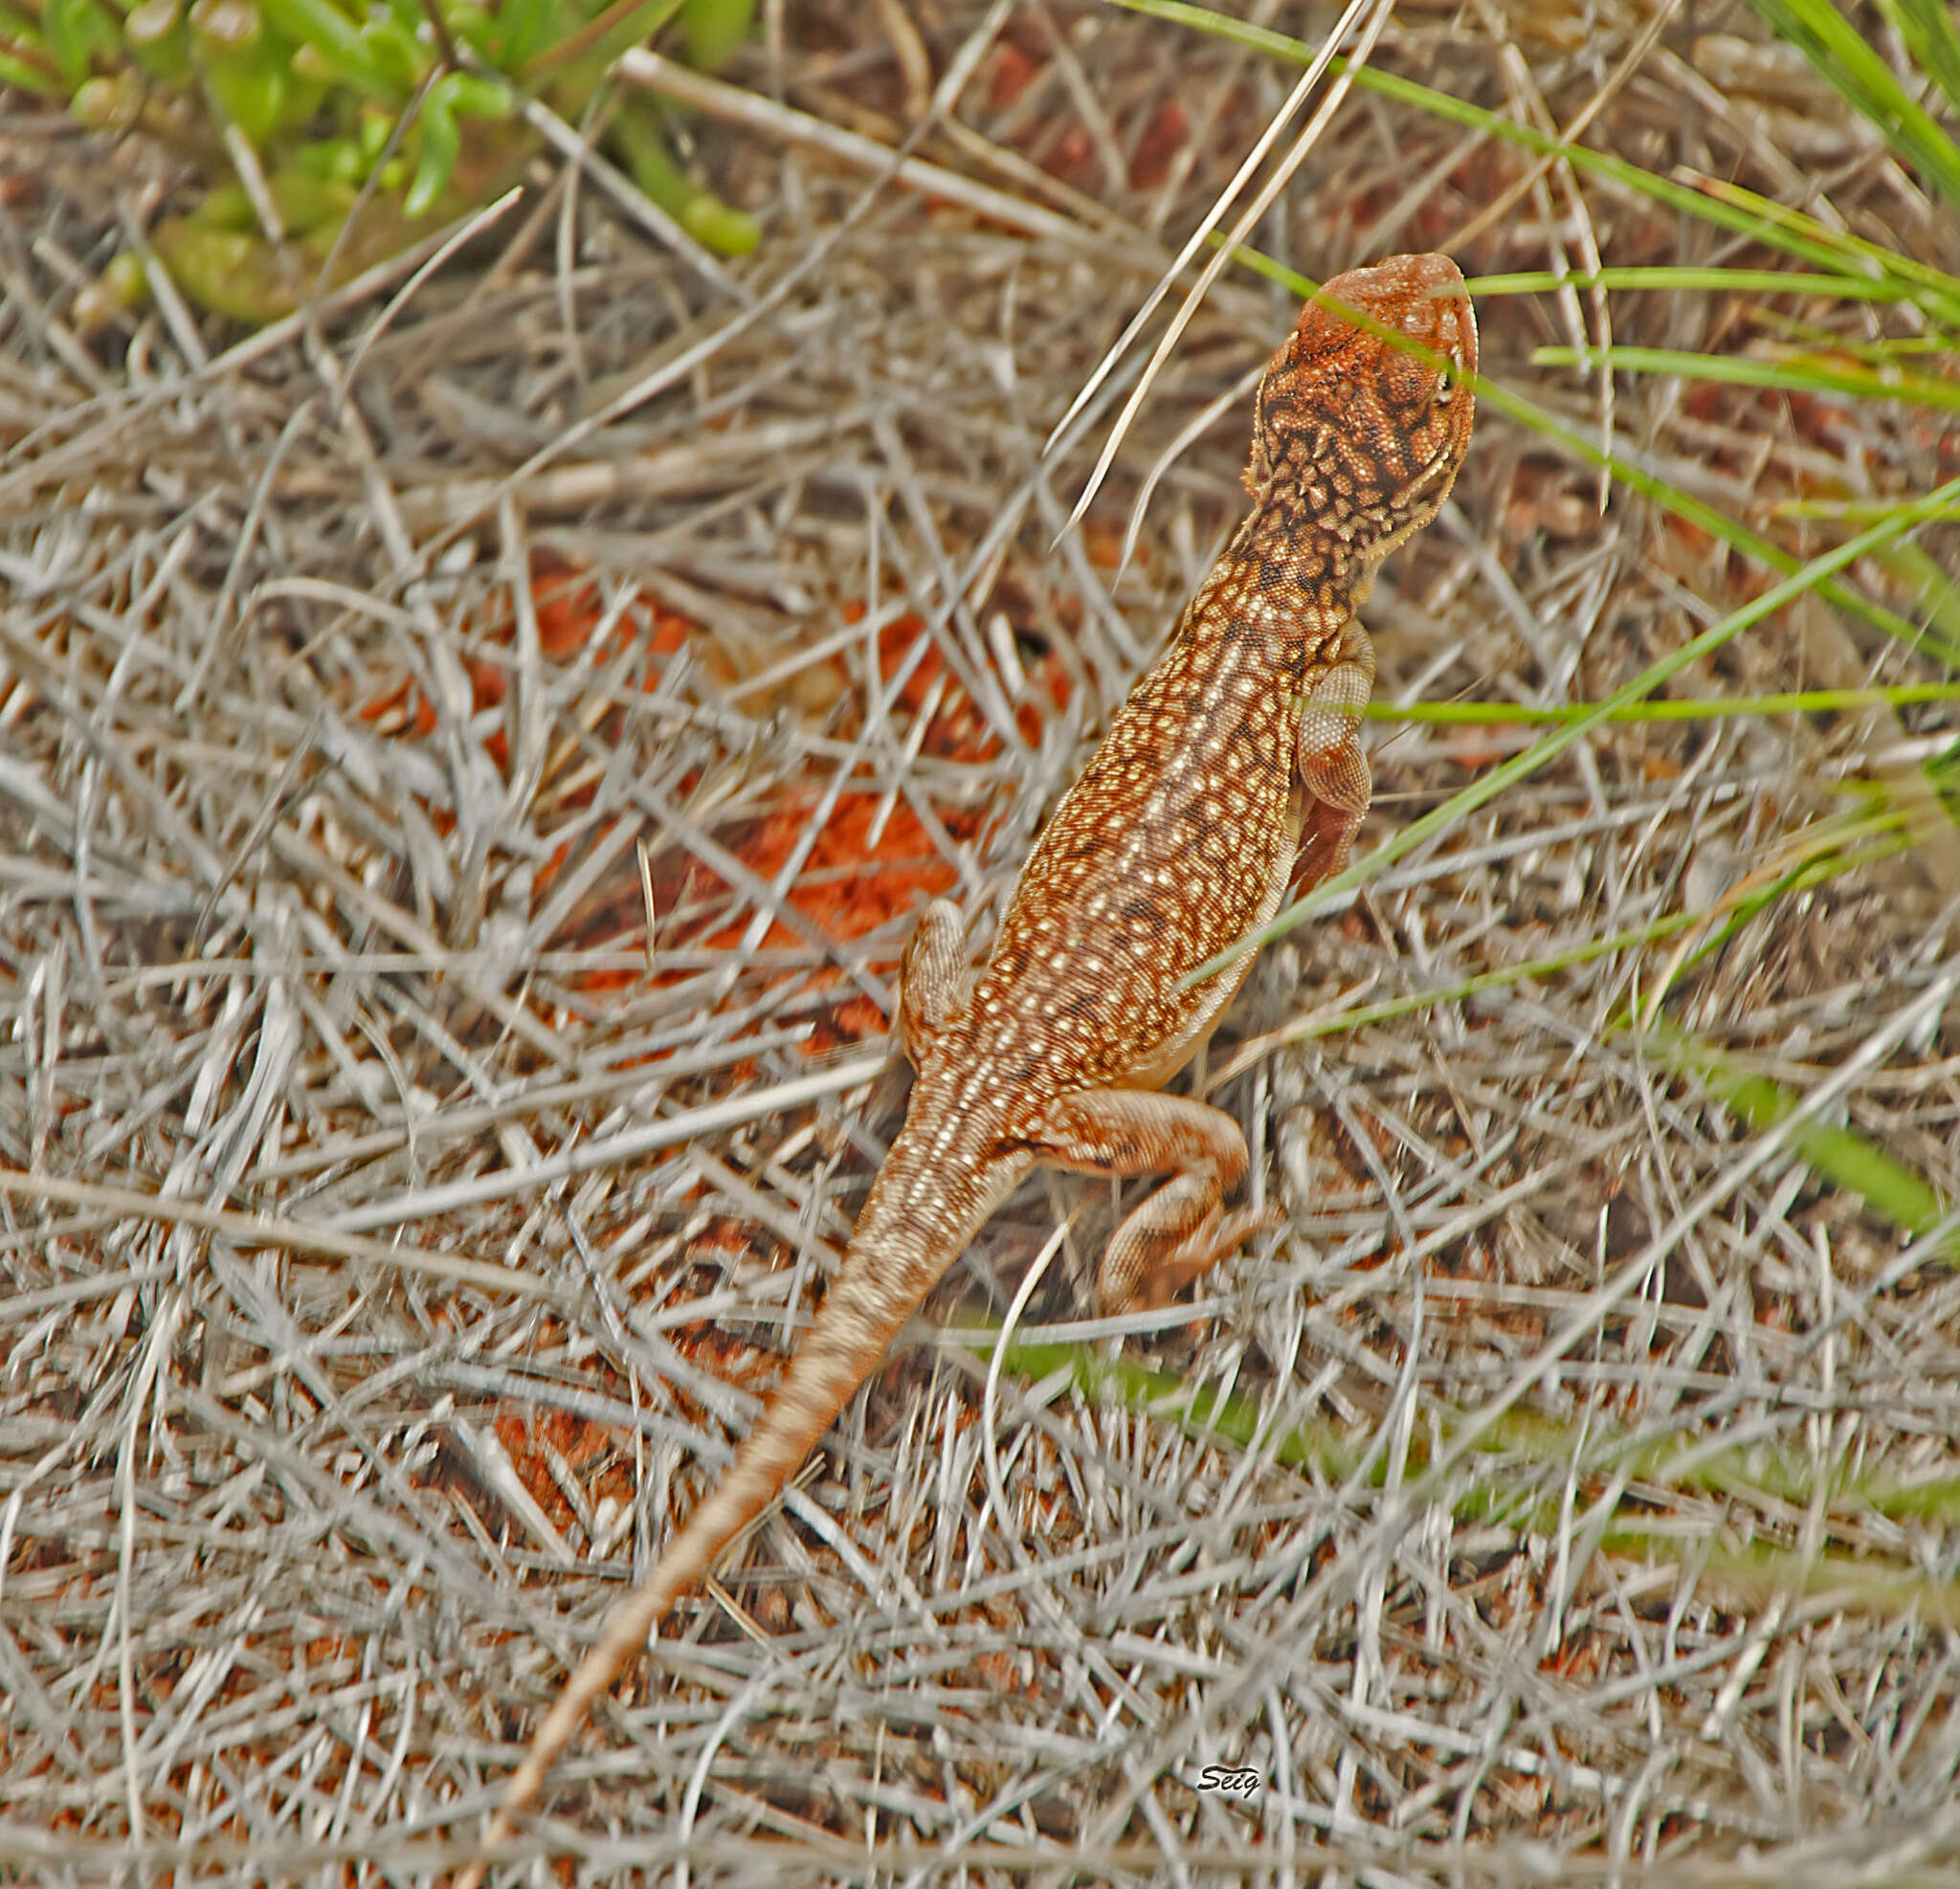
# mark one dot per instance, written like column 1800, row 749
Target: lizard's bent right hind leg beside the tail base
column 1185, row 1228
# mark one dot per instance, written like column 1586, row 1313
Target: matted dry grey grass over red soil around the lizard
column 1577, row 1486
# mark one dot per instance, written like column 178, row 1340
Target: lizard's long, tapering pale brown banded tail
column 914, row 1226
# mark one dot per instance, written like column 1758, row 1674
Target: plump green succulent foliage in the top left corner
column 416, row 99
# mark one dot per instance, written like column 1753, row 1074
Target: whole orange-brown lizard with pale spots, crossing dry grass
column 1232, row 759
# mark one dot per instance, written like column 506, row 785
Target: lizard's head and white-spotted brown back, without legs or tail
column 1181, row 832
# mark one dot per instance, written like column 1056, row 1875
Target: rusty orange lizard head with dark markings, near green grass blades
column 1357, row 440
